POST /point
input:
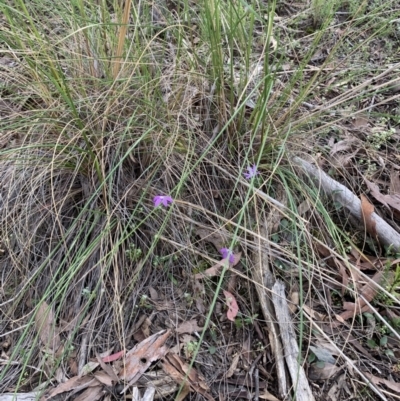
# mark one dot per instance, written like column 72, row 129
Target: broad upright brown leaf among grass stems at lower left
column 46, row 327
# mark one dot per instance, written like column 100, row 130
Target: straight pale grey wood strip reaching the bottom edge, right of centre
column 300, row 384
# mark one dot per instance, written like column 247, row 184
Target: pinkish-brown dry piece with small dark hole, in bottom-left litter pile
column 140, row 357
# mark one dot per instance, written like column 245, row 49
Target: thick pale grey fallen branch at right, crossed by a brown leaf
column 387, row 235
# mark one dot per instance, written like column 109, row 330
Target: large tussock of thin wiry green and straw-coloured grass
column 107, row 115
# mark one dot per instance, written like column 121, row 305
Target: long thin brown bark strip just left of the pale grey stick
column 263, row 275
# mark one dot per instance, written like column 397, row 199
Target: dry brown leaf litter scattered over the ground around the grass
column 349, row 281
